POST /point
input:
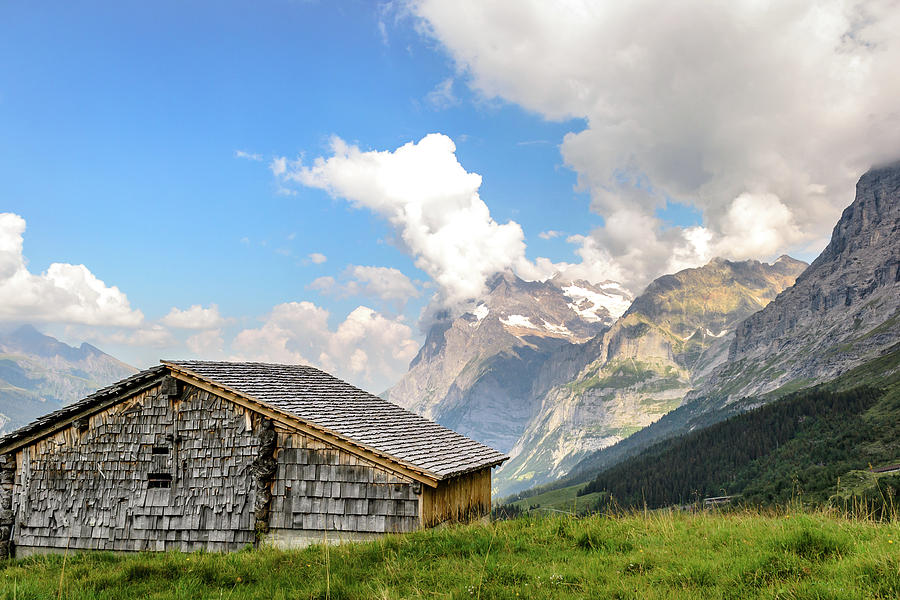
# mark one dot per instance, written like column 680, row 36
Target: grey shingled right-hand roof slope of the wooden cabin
column 350, row 413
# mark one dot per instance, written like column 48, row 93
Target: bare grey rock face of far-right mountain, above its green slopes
column 841, row 312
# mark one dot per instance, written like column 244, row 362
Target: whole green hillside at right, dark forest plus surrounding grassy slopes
column 818, row 443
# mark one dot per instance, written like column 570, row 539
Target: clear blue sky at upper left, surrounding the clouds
column 120, row 127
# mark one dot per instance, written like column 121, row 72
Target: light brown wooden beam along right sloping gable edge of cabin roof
column 302, row 426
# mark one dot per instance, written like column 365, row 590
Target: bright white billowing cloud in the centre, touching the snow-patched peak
column 431, row 201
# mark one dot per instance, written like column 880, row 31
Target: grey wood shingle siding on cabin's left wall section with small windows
column 91, row 490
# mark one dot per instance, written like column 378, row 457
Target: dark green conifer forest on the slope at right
column 799, row 445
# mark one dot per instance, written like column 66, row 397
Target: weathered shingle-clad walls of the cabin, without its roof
column 178, row 467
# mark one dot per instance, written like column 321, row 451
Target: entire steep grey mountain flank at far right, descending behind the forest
column 840, row 315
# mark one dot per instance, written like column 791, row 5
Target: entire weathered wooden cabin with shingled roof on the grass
column 215, row 455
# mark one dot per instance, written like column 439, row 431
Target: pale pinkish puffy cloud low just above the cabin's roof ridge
column 366, row 349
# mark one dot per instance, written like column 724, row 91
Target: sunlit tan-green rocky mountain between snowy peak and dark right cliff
column 671, row 337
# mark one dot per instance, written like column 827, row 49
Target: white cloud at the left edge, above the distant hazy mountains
column 64, row 293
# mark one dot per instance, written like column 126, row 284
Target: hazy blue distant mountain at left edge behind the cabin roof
column 39, row 374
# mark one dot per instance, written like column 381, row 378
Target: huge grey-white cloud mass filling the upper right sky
column 742, row 109
